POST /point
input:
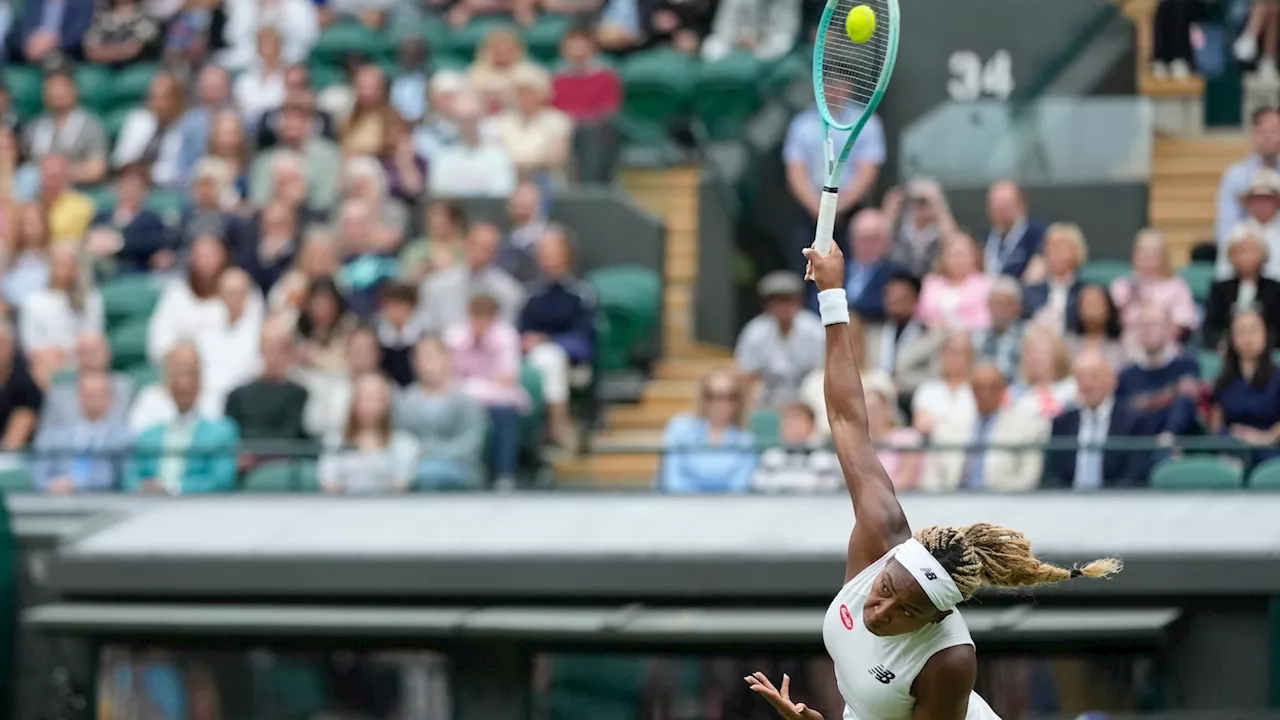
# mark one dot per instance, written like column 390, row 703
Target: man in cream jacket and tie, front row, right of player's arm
column 995, row 423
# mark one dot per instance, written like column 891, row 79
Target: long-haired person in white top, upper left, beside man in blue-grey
column 153, row 135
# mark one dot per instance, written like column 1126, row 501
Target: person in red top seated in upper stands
column 586, row 89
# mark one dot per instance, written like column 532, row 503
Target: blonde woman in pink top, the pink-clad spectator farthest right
column 1153, row 282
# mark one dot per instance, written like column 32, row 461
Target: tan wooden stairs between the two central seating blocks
column 625, row 450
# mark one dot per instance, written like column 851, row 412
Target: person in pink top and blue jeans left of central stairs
column 487, row 366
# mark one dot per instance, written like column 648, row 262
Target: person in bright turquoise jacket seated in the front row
column 189, row 454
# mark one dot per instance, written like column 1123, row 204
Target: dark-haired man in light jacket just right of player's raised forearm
column 903, row 347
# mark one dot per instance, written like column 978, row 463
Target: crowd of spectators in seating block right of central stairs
column 995, row 362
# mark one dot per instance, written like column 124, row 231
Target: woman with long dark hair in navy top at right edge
column 1247, row 391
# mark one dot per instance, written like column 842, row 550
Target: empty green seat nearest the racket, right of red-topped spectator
column 726, row 95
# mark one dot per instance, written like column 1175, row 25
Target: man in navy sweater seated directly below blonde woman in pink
column 1165, row 384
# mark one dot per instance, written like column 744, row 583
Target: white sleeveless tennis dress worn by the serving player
column 876, row 675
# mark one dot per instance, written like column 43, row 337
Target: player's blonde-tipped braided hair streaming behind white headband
column 990, row 555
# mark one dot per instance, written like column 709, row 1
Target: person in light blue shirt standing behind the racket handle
column 806, row 157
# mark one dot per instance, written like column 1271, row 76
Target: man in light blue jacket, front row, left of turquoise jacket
column 84, row 454
